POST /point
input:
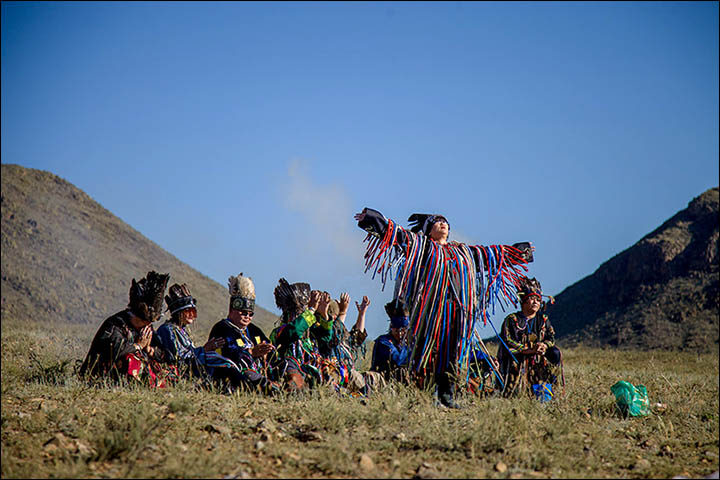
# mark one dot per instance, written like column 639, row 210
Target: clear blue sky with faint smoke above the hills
column 258, row 129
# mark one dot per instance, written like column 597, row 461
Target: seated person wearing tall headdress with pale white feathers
column 238, row 338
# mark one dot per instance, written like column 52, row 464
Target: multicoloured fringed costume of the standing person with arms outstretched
column 446, row 287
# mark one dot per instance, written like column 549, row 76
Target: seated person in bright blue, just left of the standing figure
column 391, row 351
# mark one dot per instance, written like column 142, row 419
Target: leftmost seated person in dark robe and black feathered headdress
column 126, row 345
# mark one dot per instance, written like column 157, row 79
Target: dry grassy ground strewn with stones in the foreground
column 54, row 426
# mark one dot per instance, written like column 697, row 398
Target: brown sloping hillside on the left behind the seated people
column 65, row 258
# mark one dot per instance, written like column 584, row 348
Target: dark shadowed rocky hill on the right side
column 663, row 292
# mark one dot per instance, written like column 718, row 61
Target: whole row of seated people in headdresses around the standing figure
column 311, row 346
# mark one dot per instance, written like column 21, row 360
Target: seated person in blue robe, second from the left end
column 191, row 361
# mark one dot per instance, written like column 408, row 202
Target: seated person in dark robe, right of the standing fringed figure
column 527, row 353
